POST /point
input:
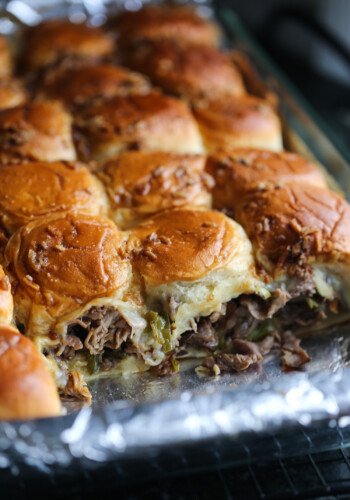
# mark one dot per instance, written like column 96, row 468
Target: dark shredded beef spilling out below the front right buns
column 246, row 329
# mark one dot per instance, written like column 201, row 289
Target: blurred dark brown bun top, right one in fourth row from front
column 187, row 70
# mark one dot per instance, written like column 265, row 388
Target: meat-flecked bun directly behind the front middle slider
column 141, row 183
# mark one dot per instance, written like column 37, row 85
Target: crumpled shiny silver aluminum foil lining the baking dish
column 141, row 416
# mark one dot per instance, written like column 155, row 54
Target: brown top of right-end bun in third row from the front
column 244, row 114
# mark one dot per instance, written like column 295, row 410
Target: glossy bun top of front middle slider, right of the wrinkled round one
column 183, row 245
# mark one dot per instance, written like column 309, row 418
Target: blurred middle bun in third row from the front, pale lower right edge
column 154, row 121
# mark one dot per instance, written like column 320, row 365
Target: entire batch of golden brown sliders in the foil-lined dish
column 148, row 212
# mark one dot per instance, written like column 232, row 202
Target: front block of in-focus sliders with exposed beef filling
column 160, row 278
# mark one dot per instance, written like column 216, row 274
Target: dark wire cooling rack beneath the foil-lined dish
column 205, row 472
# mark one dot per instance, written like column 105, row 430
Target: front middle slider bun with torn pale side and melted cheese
column 192, row 261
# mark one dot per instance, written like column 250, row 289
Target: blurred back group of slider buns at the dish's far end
column 102, row 108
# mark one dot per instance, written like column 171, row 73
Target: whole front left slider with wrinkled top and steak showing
column 76, row 296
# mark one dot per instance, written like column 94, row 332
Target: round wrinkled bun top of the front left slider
column 63, row 261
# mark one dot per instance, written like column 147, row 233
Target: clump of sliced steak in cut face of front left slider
column 102, row 327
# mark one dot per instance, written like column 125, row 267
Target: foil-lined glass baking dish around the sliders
column 144, row 424
